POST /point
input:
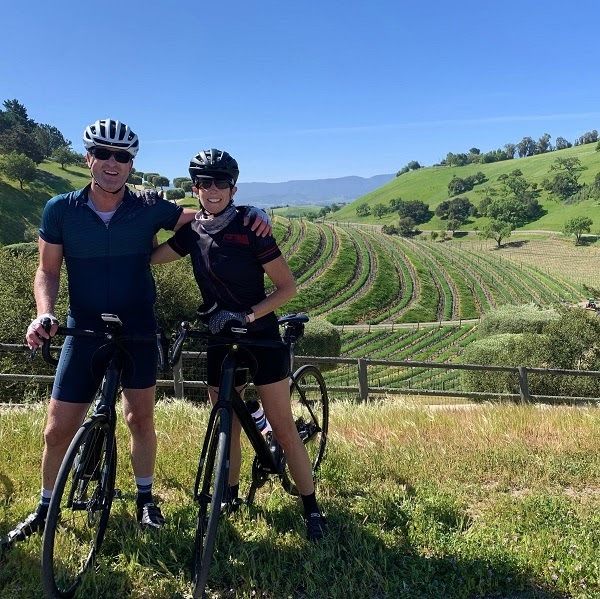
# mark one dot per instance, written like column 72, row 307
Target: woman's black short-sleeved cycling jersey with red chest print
column 228, row 265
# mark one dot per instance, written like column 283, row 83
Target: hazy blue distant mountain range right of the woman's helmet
column 316, row 191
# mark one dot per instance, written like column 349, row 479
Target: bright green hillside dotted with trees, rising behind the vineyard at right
column 430, row 185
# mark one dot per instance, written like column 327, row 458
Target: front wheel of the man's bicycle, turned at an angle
column 79, row 508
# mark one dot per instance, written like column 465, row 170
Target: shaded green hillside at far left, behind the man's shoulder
column 21, row 210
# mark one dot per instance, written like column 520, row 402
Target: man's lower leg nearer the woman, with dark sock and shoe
column 138, row 410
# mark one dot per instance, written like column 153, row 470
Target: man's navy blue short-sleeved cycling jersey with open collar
column 108, row 267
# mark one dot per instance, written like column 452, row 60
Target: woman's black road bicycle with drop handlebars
column 310, row 408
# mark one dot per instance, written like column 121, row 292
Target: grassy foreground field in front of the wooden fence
column 499, row 501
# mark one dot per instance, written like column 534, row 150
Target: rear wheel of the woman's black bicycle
column 310, row 409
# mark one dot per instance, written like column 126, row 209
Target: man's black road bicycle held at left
column 85, row 485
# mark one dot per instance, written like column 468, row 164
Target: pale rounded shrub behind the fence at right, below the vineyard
column 516, row 319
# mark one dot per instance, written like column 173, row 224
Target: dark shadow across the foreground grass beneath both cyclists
column 359, row 557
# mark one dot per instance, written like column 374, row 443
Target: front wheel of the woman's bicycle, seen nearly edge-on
column 211, row 479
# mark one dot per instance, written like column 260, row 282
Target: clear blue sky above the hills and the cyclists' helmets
column 306, row 90
